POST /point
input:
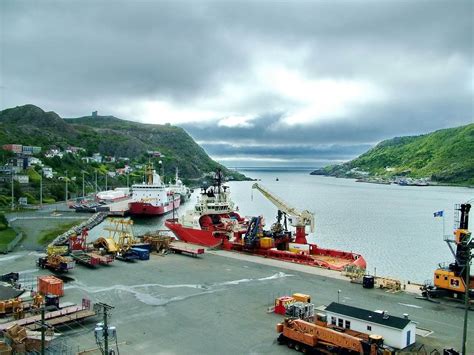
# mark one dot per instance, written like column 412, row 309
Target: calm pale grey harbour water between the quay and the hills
column 391, row 226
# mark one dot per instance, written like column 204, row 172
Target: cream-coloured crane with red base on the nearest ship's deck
column 298, row 219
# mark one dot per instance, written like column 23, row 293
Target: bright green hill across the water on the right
column 445, row 156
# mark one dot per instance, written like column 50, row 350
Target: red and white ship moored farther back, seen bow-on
column 152, row 197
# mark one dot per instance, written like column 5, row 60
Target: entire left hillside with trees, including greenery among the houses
column 122, row 143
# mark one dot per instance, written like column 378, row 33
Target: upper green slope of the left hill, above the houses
column 108, row 135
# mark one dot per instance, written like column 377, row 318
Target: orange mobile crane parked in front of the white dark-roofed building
column 306, row 337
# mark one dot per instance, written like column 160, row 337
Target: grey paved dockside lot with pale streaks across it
column 215, row 304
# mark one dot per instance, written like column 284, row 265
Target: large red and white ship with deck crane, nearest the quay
column 214, row 222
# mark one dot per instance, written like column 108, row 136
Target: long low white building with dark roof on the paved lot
column 397, row 332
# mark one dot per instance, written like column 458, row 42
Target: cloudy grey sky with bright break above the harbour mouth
column 256, row 83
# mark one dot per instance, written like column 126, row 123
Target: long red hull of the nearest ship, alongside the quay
column 326, row 258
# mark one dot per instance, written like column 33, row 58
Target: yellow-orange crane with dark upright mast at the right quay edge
column 450, row 280
